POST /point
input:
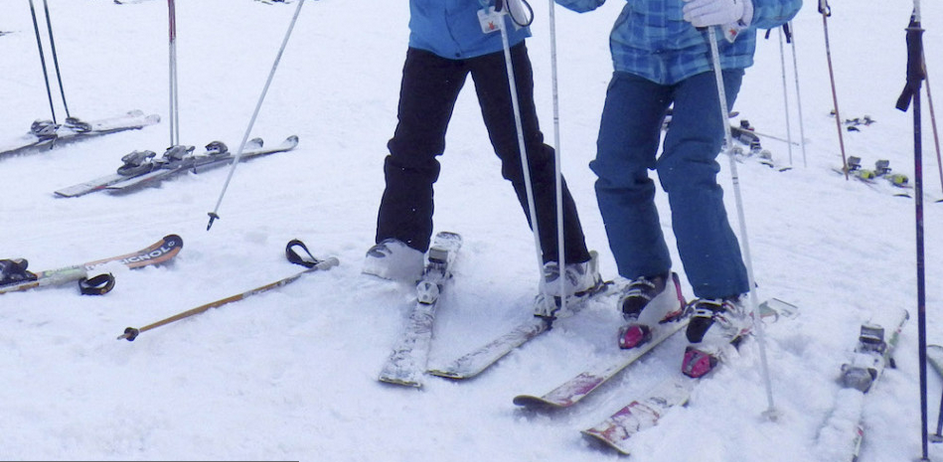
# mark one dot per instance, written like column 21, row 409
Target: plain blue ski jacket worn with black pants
column 451, row 29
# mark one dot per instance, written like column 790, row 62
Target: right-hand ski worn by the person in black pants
column 475, row 362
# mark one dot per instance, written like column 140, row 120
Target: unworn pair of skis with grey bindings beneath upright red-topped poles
column 141, row 168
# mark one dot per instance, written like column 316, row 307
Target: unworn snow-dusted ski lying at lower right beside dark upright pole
column 841, row 437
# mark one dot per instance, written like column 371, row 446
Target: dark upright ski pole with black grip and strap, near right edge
column 911, row 93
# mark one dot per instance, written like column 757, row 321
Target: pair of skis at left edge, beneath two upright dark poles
column 44, row 134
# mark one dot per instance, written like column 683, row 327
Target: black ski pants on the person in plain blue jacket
column 430, row 87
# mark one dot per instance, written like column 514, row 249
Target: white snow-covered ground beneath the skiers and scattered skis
column 291, row 375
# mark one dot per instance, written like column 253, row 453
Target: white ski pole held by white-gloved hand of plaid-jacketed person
column 771, row 412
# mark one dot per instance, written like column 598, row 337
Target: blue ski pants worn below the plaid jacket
column 627, row 148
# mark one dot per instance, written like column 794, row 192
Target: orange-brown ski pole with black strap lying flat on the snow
column 313, row 265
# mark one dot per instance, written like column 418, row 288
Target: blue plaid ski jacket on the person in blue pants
column 651, row 39
